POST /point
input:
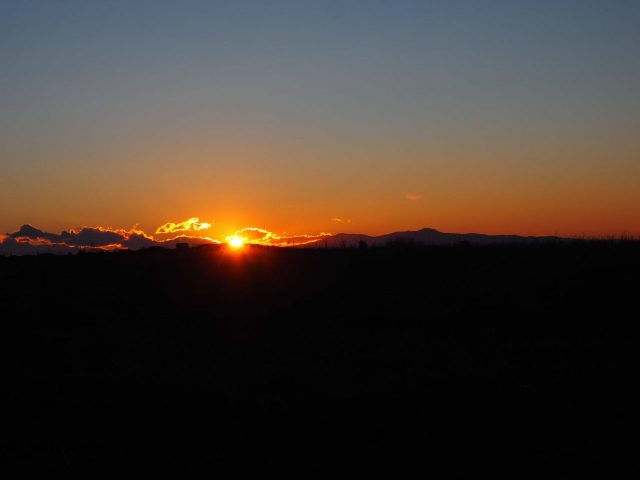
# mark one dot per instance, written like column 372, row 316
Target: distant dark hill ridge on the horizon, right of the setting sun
column 429, row 236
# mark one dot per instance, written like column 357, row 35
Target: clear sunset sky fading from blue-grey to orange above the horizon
column 303, row 117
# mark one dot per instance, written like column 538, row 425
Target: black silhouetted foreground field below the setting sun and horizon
column 375, row 357
